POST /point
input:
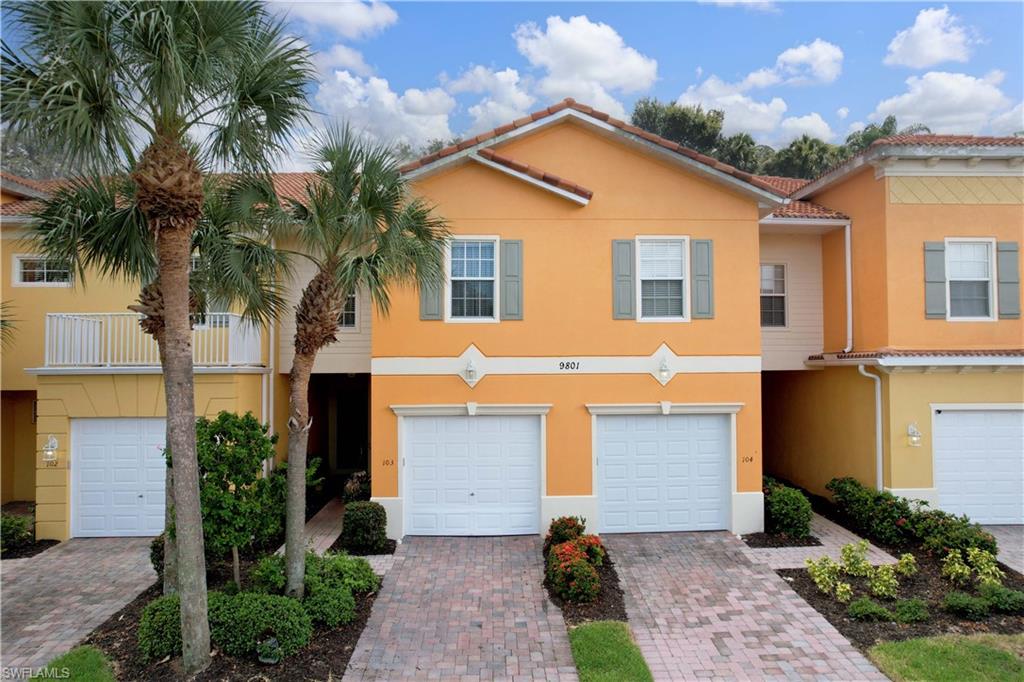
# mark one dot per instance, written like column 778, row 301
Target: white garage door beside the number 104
column 663, row 473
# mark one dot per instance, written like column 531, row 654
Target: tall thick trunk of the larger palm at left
column 175, row 253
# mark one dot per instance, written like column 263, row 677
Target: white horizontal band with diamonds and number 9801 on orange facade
column 473, row 365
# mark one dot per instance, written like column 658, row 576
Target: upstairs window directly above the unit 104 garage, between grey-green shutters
column 663, row 279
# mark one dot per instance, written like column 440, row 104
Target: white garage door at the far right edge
column 979, row 464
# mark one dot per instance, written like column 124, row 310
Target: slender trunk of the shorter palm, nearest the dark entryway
column 298, row 439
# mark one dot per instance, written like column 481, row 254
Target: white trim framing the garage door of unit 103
column 396, row 506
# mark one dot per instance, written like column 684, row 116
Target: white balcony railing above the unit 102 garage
column 114, row 339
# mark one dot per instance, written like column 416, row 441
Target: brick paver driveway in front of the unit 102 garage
column 54, row 600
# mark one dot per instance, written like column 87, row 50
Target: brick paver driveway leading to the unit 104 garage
column 701, row 610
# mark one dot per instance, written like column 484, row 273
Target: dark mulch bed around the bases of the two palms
column 325, row 658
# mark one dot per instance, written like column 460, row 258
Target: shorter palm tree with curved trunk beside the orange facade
column 364, row 231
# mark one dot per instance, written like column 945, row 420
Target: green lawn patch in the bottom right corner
column 953, row 659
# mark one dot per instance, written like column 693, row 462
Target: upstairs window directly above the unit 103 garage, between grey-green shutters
column 473, row 280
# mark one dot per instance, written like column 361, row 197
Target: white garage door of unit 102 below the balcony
column 118, row 477
